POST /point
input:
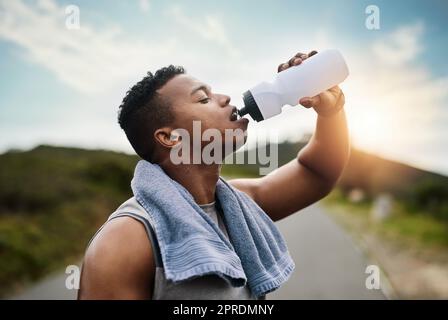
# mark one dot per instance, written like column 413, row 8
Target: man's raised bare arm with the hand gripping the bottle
column 318, row 166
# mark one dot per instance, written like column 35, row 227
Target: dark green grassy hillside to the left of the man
column 52, row 200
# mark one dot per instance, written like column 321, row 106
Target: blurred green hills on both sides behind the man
column 53, row 199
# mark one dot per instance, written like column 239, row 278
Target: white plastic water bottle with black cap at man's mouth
column 316, row 74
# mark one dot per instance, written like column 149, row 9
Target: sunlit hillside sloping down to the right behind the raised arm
column 418, row 189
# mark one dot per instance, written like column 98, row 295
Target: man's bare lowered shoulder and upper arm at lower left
column 119, row 256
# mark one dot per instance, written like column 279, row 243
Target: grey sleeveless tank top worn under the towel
column 204, row 287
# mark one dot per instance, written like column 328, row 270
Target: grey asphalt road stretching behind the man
column 328, row 264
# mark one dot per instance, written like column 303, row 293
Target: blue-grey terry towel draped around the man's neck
column 192, row 245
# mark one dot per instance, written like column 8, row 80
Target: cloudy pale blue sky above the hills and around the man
column 63, row 87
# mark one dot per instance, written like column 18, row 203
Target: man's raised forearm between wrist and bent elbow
column 327, row 153
